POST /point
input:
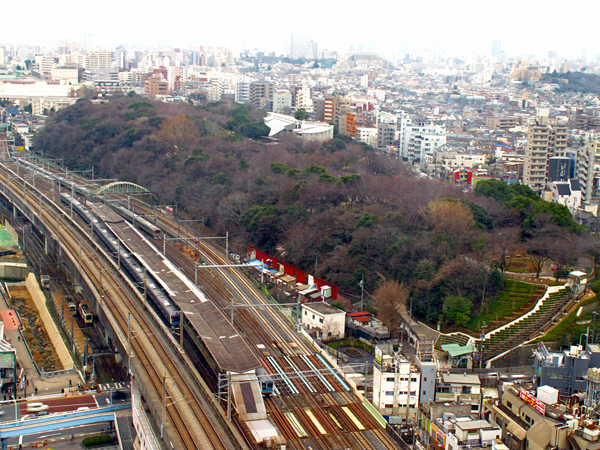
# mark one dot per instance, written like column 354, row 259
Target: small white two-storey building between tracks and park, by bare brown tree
column 327, row 322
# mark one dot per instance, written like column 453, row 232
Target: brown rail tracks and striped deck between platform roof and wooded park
column 324, row 415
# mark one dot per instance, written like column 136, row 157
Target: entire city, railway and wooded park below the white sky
column 313, row 249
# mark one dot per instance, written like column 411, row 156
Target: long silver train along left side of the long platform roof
column 156, row 294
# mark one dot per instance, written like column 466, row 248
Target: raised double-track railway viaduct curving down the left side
column 193, row 427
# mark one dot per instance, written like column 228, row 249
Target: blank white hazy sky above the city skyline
column 462, row 27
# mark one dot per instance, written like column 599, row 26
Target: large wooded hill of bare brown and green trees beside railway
column 356, row 211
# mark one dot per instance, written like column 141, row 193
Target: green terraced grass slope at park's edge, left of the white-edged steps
column 513, row 297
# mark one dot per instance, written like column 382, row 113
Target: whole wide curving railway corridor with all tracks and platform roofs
column 200, row 379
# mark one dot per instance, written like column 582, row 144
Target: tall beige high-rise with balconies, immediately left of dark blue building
column 544, row 140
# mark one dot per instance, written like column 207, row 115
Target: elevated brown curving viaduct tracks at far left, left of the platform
column 160, row 367
